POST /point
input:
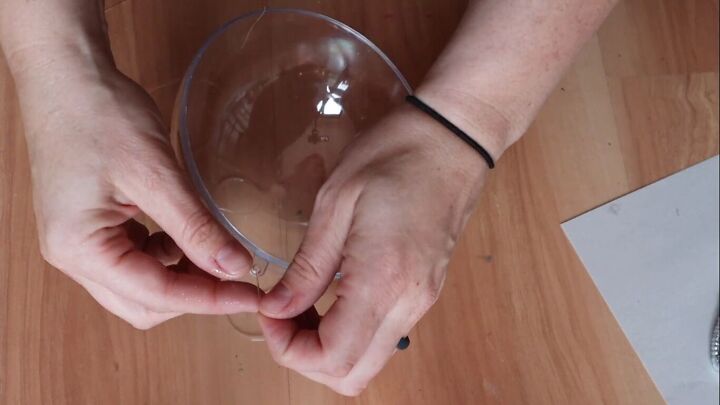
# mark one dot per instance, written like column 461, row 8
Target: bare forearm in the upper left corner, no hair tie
column 34, row 34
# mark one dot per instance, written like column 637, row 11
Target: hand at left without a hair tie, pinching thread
column 100, row 157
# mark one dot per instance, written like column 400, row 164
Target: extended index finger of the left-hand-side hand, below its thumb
column 139, row 277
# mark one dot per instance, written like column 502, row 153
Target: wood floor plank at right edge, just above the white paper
column 666, row 123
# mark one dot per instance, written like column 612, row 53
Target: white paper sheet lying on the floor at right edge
column 653, row 254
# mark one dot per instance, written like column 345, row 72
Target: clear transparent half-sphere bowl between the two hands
column 263, row 113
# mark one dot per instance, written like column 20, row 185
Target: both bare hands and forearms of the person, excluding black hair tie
column 388, row 216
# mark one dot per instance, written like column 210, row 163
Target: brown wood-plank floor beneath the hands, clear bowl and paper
column 519, row 320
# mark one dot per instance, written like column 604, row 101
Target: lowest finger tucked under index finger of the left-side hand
column 133, row 313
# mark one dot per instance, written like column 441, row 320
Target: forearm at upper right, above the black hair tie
column 503, row 62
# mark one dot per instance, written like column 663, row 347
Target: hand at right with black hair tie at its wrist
column 387, row 218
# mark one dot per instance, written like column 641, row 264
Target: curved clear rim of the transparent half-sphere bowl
column 185, row 144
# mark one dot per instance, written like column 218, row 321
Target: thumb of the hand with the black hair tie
column 317, row 260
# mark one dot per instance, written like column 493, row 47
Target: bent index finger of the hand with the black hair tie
column 365, row 297
